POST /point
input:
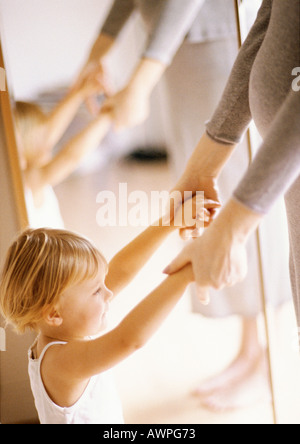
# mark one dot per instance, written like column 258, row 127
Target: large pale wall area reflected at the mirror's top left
column 45, row 42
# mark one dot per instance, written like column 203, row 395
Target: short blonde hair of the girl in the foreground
column 40, row 265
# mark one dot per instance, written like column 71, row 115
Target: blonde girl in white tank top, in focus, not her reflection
column 58, row 284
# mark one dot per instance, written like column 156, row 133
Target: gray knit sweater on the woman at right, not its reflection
column 261, row 86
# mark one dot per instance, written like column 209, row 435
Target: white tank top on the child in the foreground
column 99, row 403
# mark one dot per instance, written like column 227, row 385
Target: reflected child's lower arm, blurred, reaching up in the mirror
column 69, row 157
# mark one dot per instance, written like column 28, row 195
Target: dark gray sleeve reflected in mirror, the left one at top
column 117, row 17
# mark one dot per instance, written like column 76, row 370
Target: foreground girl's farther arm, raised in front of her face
column 129, row 261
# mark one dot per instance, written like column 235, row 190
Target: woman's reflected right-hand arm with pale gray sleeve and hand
column 130, row 106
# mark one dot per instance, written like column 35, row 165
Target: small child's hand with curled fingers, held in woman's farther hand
column 192, row 216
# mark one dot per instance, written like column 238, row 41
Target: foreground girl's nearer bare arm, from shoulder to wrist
column 81, row 360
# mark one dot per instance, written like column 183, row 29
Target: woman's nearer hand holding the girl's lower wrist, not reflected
column 219, row 257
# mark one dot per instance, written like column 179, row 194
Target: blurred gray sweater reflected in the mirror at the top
column 169, row 22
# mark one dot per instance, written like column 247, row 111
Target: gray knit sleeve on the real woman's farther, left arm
column 232, row 116
